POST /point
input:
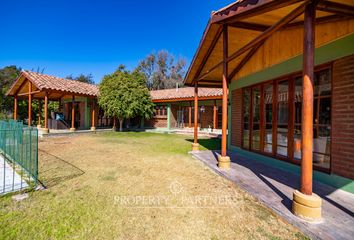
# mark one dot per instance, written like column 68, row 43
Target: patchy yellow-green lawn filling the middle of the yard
column 93, row 183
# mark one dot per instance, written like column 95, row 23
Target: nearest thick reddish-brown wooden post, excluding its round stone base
column 307, row 101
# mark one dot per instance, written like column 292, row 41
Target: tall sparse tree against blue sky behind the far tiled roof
column 161, row 71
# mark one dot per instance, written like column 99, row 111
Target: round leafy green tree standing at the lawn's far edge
column 123, row 94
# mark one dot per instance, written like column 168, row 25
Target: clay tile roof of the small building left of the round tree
column 43, row 81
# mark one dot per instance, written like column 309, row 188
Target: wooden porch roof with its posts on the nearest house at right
column 249, row 36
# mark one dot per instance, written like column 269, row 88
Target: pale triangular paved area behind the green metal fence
column 10, row 180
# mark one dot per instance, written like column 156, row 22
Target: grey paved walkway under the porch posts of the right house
column 274, row 187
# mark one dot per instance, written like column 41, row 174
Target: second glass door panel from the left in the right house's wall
column 256, row 119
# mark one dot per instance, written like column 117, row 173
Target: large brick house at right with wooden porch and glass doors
column 287, row 70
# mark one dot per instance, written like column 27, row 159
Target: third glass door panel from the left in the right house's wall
column 268, row 118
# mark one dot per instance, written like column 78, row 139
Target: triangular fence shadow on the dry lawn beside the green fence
column 54, row 170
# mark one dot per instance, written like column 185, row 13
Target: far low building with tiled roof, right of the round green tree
column 175, row 109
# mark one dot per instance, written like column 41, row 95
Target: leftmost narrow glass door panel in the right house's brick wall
column 246, row 118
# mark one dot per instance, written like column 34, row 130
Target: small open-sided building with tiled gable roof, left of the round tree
column 77, row 102
